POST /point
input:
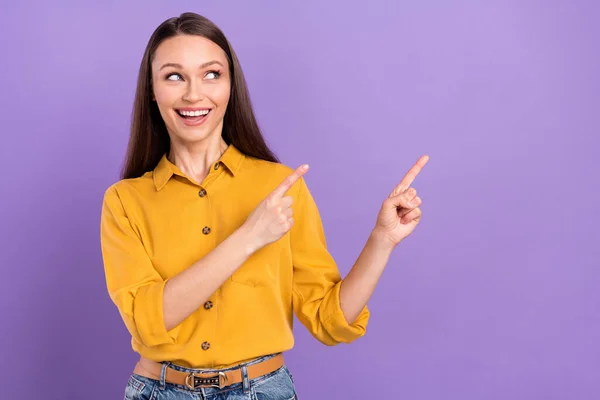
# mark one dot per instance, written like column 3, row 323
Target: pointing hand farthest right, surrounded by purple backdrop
column 400, row 212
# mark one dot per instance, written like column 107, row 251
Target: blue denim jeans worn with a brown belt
column 277, row 385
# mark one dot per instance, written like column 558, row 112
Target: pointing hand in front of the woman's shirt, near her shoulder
column 272, row 218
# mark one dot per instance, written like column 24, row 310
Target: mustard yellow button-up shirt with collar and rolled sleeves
column 157, row 225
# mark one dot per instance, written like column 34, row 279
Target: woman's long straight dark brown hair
column 149, row 139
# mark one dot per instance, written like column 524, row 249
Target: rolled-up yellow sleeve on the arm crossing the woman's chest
column 133, row 283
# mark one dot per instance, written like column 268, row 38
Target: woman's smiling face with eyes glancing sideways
column 191, row 85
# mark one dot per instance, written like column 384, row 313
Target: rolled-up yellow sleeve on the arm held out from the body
column 317, row 280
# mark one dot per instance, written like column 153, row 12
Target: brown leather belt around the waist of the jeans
column 151, row 369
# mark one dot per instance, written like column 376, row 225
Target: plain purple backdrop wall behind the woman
column 495, row 296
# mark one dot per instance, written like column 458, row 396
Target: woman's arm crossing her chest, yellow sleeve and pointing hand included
column 152, row 307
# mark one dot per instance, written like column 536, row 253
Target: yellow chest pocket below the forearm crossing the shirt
column 262, row 268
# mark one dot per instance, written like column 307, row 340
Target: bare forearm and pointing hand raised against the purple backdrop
column 398, row 217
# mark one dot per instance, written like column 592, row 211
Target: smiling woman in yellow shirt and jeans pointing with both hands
column 203, row 257
